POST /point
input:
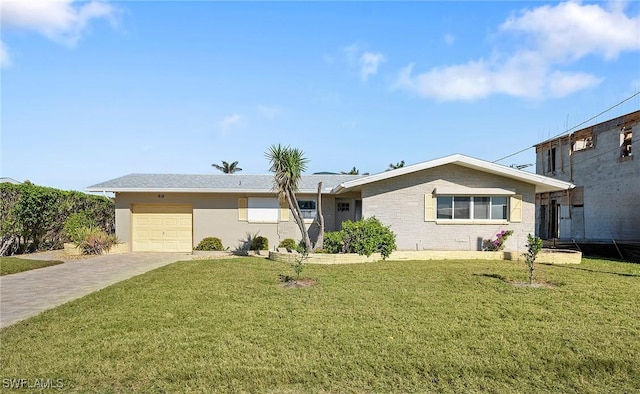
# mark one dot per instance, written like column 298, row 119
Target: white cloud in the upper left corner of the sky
column 58, row 20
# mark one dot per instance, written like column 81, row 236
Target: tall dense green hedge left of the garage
column 32, row 217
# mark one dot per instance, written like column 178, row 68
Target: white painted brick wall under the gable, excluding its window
column 399, row 202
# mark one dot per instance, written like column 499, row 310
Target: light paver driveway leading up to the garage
column 29, row 293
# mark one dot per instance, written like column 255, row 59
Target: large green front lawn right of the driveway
column 227, row 325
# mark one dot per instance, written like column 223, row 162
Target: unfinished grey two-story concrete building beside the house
column 604, row 207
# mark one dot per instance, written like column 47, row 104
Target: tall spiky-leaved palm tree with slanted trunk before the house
column 288, row 164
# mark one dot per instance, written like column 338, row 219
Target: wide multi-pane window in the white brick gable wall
column 479, row 208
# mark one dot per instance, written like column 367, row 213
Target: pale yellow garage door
column 162, row 228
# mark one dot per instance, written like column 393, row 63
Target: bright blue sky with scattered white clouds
column 95, row 90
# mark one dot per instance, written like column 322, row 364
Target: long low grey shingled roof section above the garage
column 213, row 183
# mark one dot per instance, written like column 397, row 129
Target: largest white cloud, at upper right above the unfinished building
column 558, row 36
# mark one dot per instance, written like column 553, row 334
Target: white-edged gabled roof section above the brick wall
column 542, row 183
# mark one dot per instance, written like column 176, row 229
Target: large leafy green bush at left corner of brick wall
column 365, row 237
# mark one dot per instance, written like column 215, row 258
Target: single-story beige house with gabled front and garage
column 451, row 203
